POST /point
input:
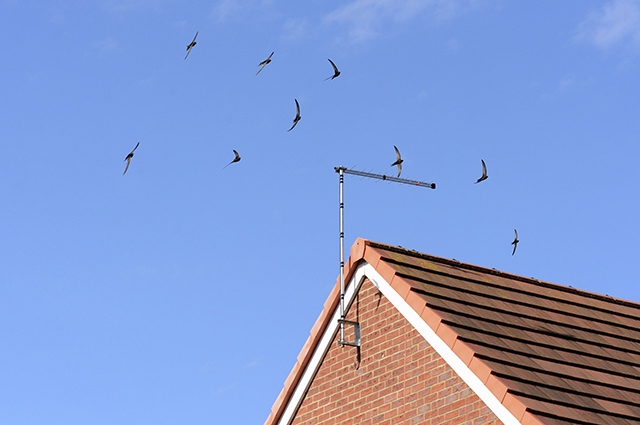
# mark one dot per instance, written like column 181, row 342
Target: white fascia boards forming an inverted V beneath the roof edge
column 367, row 270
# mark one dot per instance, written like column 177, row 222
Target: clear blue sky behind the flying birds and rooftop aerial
column 181, row 292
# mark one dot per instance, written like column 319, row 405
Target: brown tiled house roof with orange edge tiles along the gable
column 549, row 354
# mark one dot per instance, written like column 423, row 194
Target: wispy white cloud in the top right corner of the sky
column 618, row 22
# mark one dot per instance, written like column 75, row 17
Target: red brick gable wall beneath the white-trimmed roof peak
column 400, row 379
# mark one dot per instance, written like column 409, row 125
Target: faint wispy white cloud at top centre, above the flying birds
column 366, row 18
